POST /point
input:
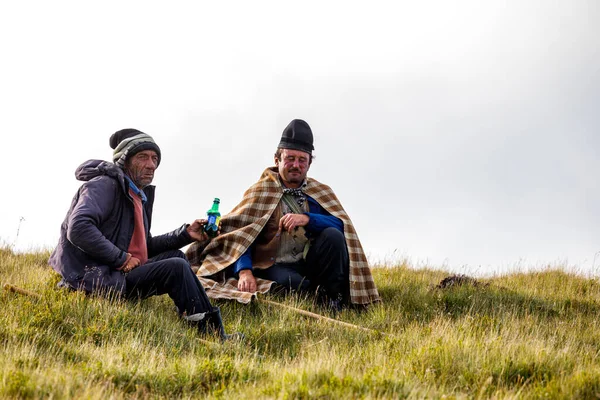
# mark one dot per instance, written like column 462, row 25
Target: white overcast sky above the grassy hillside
column 461, row 135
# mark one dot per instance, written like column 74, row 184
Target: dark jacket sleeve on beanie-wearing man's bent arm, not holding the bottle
column 94, row 205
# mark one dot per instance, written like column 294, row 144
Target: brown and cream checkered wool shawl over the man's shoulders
column 244, row 223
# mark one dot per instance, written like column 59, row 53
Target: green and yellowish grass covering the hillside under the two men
column 533, row 335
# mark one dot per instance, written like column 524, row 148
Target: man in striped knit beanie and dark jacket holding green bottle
column 105, row 243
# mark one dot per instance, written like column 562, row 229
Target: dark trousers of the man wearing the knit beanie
column 169, row 273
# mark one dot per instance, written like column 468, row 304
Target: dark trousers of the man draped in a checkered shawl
column 326, row 268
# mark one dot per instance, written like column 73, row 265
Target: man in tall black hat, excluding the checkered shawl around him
column 297, row 265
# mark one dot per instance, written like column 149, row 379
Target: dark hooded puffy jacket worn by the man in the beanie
column 96, row 232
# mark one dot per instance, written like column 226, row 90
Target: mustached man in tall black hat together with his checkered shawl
column 291, row 230
